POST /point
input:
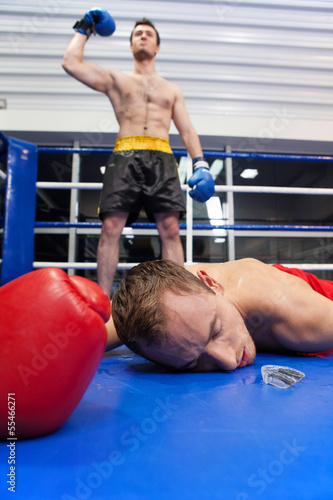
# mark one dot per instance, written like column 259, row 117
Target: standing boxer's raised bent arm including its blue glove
column 90, row 74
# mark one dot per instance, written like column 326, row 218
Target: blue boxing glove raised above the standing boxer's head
column 98, row 20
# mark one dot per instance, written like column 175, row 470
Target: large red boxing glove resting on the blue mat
column 53, row 337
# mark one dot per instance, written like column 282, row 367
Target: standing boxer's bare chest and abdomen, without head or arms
column 143, row 104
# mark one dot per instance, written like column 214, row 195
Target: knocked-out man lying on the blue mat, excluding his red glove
column 209, row 317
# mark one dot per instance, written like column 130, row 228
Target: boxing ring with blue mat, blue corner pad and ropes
column 141, row 432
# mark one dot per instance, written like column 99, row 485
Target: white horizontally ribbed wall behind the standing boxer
column 257, row 69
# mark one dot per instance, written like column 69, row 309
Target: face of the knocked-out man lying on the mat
column 205, row 332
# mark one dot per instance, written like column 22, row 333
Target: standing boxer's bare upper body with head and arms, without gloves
column 144, row 103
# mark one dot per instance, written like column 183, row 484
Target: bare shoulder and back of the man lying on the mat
column 280, row 311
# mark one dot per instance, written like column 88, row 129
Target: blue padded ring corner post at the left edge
column 19, row 210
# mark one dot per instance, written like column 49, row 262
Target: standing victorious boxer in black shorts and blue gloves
column 142, row 171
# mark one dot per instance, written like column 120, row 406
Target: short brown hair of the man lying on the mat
column 137, row 307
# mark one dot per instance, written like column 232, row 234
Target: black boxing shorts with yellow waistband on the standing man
column 141, row 172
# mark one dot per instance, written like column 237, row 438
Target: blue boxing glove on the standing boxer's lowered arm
column 202, row 180
